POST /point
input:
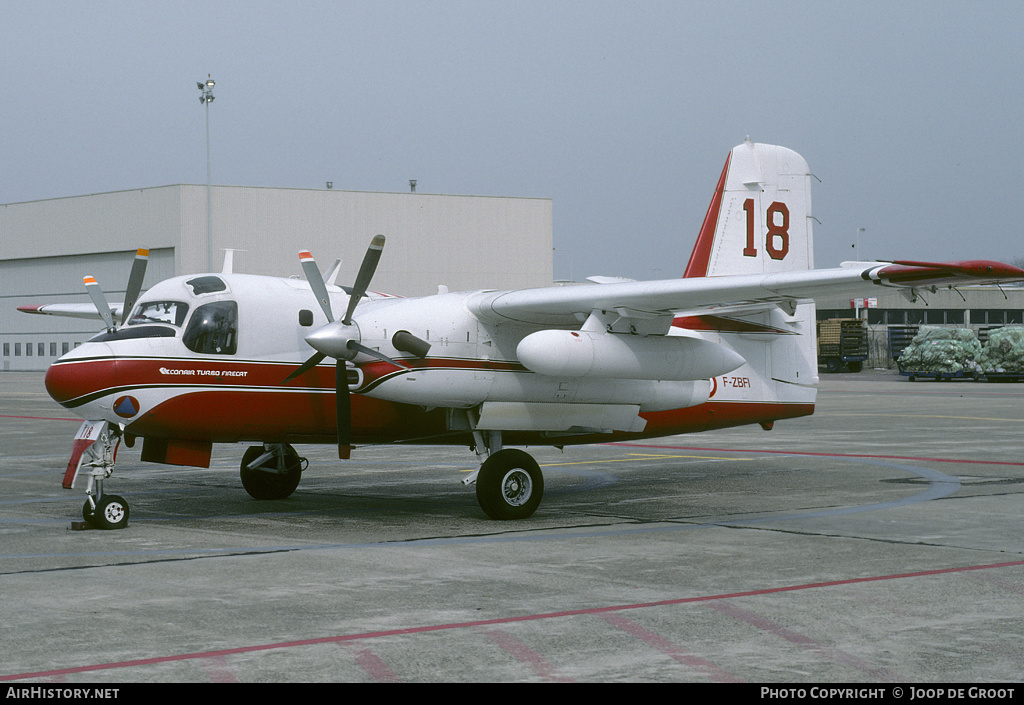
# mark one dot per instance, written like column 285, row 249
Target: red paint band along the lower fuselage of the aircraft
column 229, row 402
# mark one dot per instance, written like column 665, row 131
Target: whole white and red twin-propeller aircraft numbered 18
column 226, row 358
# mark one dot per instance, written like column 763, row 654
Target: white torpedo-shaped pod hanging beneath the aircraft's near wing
column 585, row 354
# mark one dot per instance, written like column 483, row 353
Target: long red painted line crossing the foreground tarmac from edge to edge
column 500, row 620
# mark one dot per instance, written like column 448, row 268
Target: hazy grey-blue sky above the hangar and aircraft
column 623, row 113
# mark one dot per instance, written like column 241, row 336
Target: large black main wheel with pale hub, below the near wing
column 510, row 485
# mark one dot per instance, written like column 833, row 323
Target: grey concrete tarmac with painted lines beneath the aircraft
column 877, row 542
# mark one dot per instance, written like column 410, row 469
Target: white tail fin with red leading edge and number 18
column 760, row 219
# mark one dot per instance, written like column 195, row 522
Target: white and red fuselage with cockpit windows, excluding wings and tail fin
column 202, row 359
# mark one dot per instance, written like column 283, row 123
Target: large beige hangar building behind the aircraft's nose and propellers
column 461, row 242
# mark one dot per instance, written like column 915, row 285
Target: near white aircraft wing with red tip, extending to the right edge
column 572, row 305
